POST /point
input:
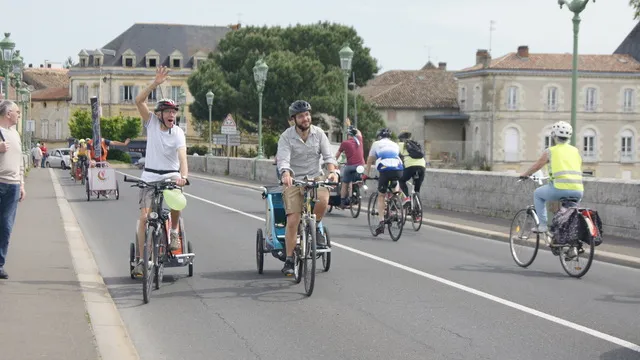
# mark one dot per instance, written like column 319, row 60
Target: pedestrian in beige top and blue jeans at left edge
column 11, row 175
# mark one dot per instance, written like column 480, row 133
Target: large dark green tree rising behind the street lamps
column 303, row 64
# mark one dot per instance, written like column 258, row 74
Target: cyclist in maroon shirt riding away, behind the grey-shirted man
column 353, row 149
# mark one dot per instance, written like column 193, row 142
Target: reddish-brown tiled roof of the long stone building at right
column 618, row 63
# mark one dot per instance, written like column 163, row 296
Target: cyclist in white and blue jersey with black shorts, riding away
column 386, row 155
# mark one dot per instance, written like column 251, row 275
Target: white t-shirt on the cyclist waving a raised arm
column 162, row 150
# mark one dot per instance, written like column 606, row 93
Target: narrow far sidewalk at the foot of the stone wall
column 614, row 249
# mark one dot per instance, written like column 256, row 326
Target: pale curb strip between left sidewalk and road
column 111, row 334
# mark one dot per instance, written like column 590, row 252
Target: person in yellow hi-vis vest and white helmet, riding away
column 565, row 172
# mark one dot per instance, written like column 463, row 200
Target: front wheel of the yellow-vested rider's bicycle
column 519, row 234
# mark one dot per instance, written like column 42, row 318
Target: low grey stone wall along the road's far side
column 487, row 193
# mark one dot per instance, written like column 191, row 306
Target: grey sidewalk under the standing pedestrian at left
column 42, row 309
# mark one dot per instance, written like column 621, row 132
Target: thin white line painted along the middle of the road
column 511, row 304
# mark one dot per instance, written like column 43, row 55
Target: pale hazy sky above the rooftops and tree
column 401, row 33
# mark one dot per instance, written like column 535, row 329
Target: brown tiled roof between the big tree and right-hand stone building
column 412, row 89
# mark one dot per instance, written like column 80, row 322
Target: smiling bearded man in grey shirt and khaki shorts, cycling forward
column 299, row 151
